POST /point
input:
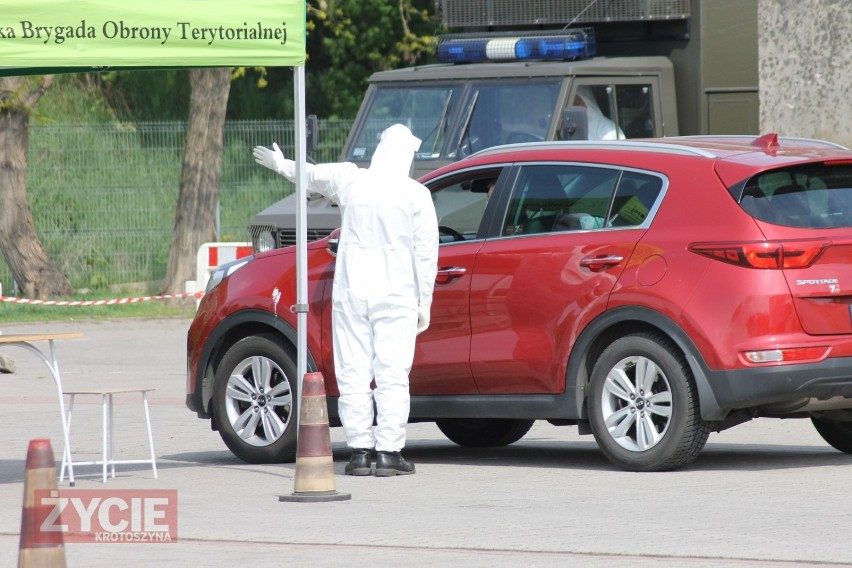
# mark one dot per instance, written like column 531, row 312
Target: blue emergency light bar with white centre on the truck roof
column 562, row 45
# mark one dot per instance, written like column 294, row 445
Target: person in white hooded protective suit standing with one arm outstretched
column 387, row 260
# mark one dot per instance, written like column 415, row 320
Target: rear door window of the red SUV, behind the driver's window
column 551, row 198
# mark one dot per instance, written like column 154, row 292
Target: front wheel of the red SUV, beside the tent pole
column 256, row 415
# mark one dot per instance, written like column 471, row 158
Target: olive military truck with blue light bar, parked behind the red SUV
column 559, row 69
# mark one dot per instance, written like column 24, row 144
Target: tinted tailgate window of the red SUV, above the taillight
column 816, row 195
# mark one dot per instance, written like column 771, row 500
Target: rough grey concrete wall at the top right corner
column 805, row 68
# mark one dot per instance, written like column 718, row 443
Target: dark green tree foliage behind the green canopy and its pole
column 347, row 41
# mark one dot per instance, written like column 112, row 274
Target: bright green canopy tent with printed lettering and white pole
column 68, row 36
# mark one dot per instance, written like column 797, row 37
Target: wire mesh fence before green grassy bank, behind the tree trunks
column 103, row 196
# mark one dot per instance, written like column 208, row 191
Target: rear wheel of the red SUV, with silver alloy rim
column 672, row 433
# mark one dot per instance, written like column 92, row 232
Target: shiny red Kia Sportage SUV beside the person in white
column 649, row 292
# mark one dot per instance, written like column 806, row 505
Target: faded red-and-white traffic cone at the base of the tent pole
column 314, row 467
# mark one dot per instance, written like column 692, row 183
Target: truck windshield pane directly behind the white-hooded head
column 424, row 110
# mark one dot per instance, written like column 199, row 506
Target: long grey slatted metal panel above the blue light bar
column 479, row 13
